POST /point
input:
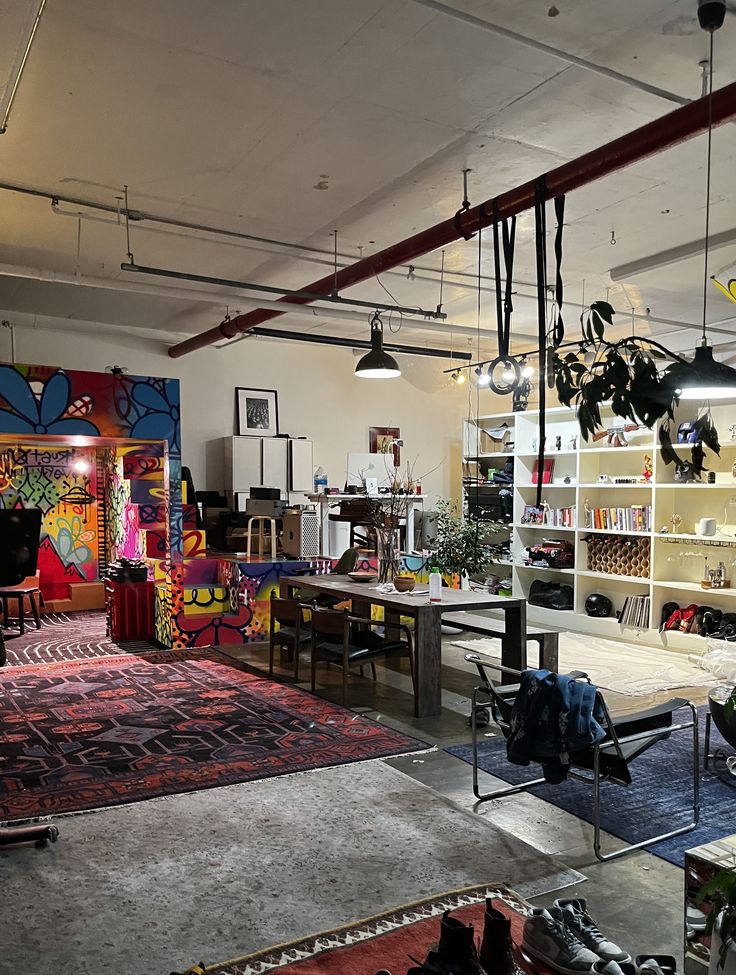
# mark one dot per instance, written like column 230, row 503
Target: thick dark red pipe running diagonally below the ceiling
column 654, row 137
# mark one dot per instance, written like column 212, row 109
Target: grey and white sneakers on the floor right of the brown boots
column 565, row 937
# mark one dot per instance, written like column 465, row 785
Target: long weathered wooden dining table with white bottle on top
column 427, row 624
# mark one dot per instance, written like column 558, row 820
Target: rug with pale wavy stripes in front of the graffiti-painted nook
column 65, row 636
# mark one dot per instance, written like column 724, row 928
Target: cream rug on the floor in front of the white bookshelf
column 622, row 667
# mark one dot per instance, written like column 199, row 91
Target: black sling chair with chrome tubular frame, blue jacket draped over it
column 609, row 761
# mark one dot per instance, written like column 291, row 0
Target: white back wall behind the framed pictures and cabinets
column 319, row 397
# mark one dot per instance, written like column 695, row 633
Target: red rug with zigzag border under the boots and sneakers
column 388, row 941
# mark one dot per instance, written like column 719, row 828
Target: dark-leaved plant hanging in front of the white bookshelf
column 628, row 373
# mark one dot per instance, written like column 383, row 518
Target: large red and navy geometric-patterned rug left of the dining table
column 91, row 733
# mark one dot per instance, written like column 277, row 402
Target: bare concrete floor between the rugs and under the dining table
column 637, row 900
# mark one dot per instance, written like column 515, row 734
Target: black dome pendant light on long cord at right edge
column 706, row 379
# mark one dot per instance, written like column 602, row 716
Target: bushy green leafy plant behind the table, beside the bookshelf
column 461, row 548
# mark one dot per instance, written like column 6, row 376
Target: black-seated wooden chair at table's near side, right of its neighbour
column 341, row 637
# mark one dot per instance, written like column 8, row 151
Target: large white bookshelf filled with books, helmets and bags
column 676, row 558
